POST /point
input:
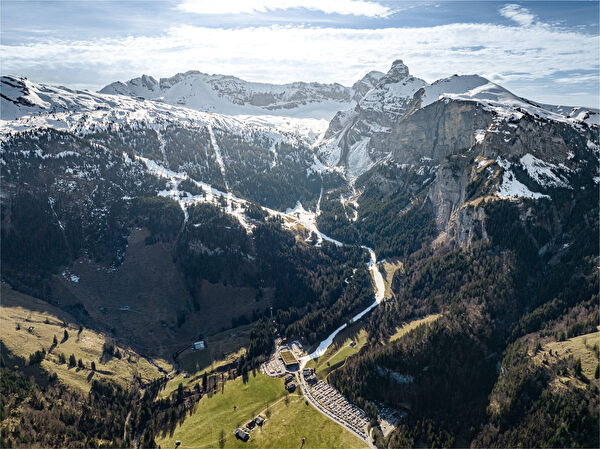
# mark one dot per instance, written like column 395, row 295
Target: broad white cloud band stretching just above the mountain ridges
column 520, row 56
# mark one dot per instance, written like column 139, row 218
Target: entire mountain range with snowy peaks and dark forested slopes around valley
column 207, row 204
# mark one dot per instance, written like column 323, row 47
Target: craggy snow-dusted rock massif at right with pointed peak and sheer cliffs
column 467, row 141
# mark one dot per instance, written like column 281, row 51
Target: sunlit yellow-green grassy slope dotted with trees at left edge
column 29, row 311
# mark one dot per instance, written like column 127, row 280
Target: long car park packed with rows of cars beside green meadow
column 332, row 400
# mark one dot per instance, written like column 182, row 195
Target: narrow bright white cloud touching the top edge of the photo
column 343, row 7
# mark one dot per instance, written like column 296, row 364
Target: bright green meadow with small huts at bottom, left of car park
column 287, row 425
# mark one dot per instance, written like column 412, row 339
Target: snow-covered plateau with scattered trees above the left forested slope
column 26, row 105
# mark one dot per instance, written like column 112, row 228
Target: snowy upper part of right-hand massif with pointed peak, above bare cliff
column 359, row 139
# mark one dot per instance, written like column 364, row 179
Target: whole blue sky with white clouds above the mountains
column 546, row 51
